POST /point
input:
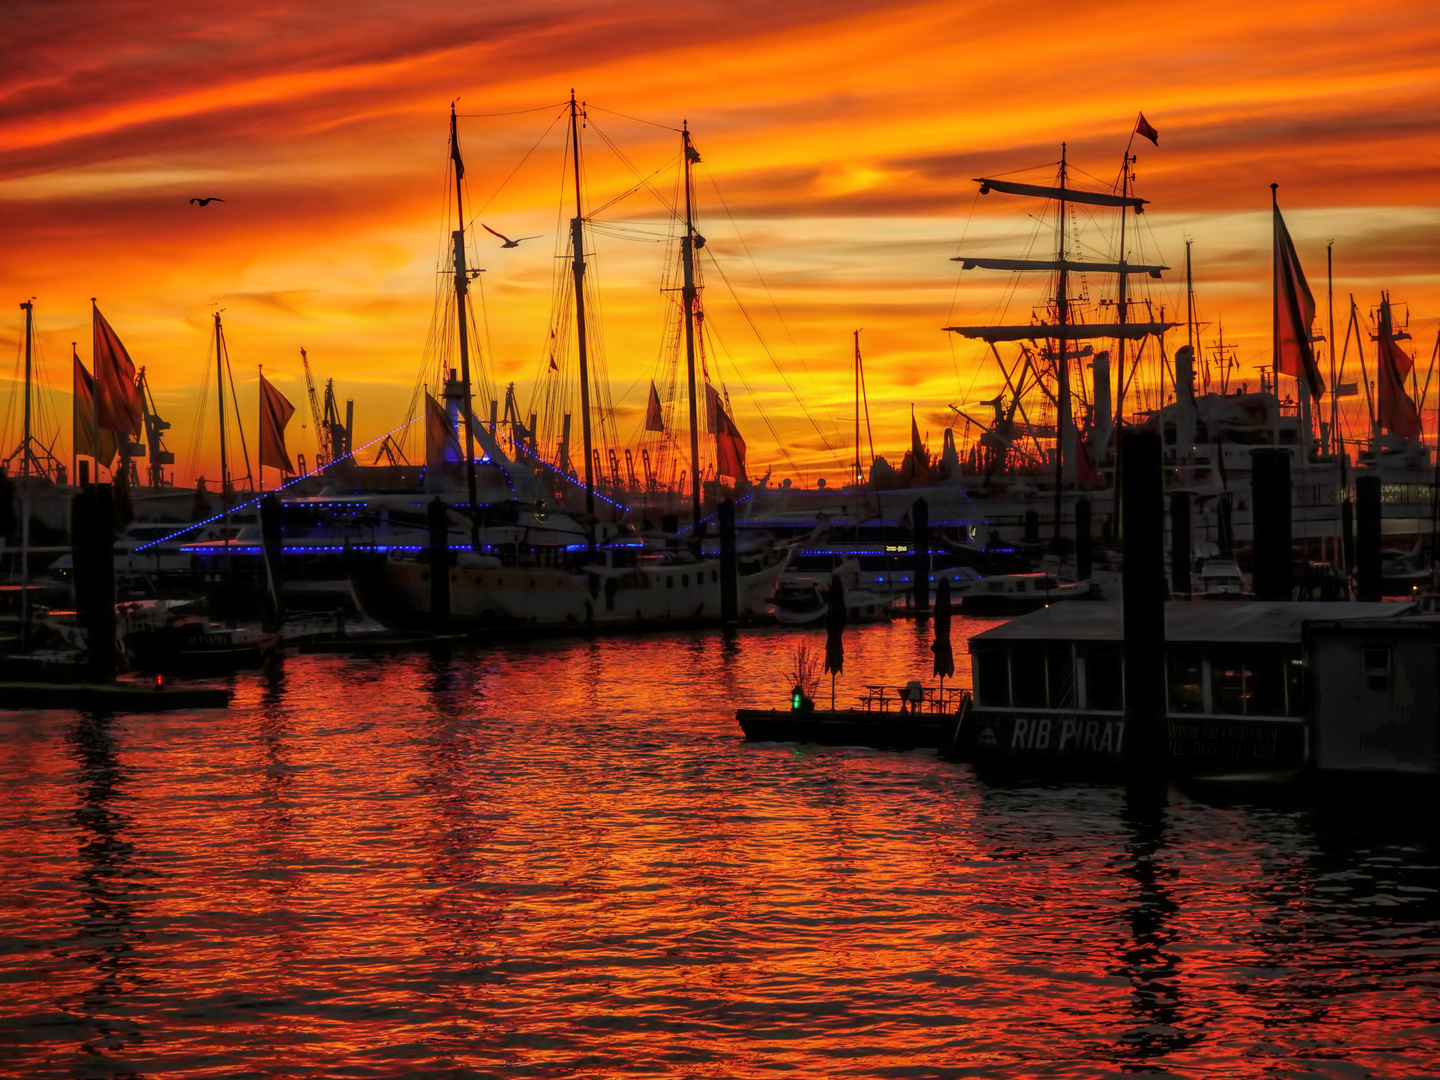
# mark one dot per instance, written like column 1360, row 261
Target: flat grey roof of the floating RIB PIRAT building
column 1194, row 621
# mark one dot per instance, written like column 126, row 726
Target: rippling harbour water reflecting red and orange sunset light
column 561, row 860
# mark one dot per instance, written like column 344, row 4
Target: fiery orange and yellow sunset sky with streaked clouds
column 842, row 136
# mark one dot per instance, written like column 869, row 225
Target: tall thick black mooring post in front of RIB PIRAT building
column 1146, row 750
